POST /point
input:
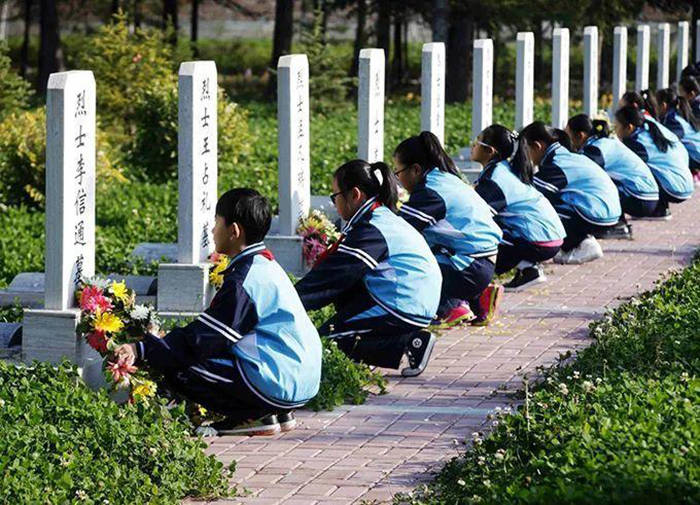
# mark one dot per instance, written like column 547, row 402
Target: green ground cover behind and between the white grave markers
column 141, row 209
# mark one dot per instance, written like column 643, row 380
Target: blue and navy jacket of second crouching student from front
column 390, row 261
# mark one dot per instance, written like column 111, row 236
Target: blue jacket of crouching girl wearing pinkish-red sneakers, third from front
column 458, row 219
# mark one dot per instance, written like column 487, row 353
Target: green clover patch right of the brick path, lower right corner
column 619, row 424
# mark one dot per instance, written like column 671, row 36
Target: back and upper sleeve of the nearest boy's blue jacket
column 278, row 347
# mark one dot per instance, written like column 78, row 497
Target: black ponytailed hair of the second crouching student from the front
column 374, row 179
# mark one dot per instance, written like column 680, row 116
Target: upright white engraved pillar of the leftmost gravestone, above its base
column 70, row 185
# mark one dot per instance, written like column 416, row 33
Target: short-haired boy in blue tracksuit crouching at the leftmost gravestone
column 254, row 355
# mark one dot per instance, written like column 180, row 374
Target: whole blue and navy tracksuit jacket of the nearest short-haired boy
column 255, row 323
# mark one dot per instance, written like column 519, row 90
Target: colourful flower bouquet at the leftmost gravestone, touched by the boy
column 110, row 317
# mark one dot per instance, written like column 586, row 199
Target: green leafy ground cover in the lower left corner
column 63, row 443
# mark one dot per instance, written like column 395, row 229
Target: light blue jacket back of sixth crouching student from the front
column 632, row 176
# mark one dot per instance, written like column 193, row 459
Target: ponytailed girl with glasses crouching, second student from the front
column 381, row 275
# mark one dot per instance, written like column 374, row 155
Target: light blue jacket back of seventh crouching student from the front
column 670, row 167
